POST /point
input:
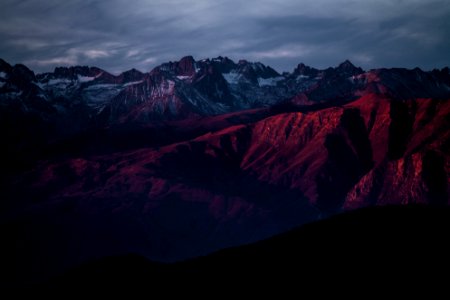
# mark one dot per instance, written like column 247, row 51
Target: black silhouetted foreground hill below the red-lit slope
column 371, row 246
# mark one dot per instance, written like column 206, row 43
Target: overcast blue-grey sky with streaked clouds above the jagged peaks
column 118, row 35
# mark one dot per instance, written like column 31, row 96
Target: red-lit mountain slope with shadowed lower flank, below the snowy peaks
column 244, row 182
